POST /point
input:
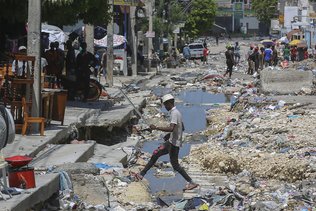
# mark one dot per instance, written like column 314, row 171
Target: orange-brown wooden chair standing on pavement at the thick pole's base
column 29, row 120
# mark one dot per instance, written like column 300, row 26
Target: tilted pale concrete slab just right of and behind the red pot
column 61, row 154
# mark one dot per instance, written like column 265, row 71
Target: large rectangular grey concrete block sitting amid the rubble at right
column 285, row 82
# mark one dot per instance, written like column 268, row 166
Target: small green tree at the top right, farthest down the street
column 265, row 9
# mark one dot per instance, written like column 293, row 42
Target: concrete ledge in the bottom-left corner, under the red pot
column 46, row 186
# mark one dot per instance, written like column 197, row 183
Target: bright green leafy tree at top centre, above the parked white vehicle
column 201, row 17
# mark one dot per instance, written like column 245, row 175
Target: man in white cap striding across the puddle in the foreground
column 172, row 144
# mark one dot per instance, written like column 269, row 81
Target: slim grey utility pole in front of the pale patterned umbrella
column 109, row 54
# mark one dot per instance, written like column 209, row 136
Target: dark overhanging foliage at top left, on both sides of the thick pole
column 58, row 12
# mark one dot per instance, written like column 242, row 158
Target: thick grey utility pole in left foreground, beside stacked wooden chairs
column 34, row 49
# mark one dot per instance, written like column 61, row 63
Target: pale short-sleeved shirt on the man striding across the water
column 176, row 135
